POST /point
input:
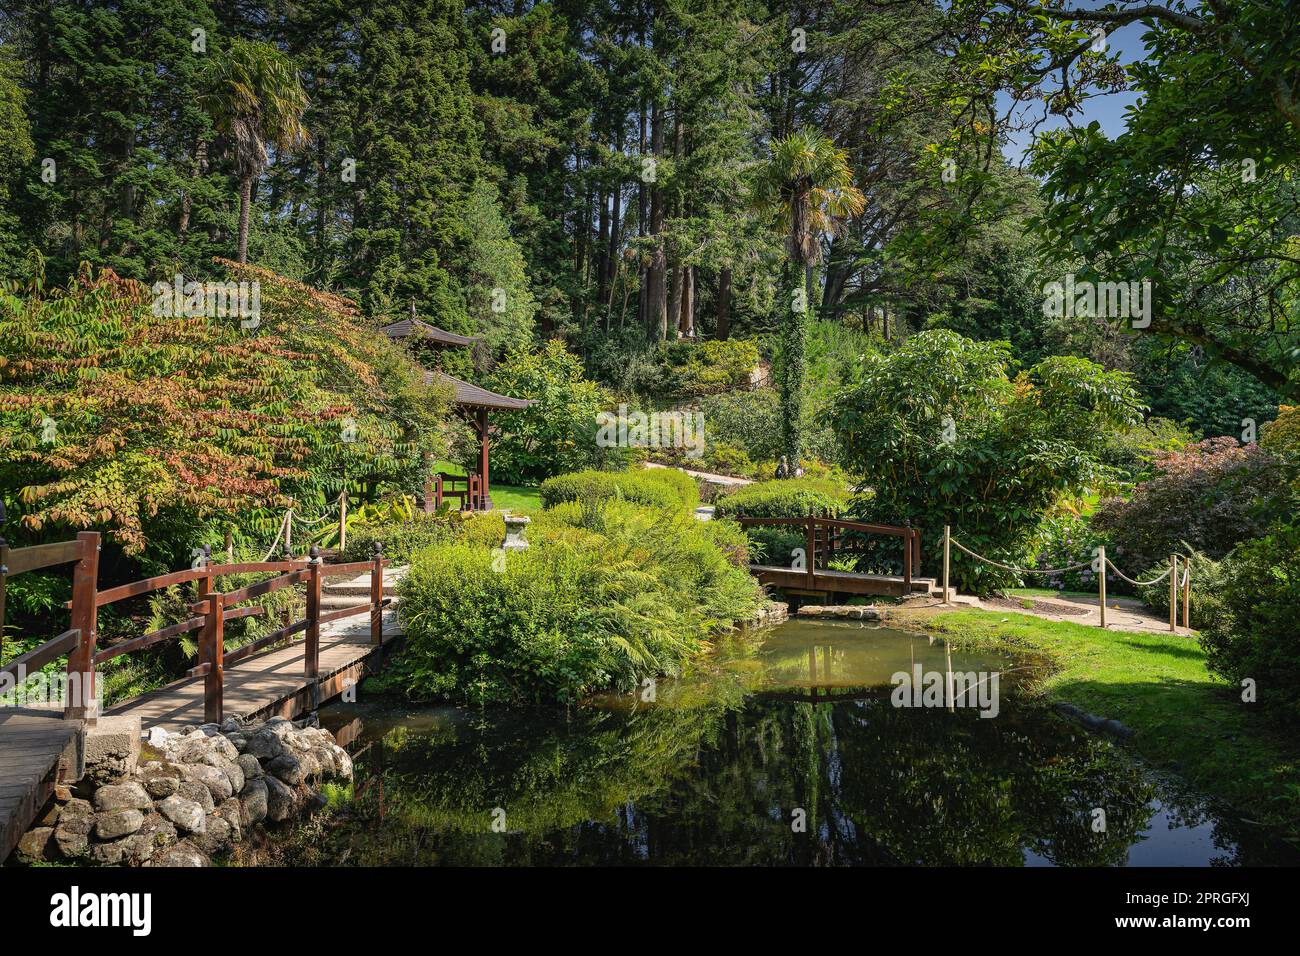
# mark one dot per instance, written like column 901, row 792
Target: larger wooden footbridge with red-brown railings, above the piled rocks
column 294, row 669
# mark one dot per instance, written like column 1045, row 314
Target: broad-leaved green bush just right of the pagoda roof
column 558, row 432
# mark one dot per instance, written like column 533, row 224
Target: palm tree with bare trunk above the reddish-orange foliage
column 254, row 97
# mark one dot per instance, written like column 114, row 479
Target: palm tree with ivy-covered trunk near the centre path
column 807, row 187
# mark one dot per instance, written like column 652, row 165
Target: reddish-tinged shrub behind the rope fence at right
column 1212, row 496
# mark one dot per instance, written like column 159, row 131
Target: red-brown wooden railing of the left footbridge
column 211, row 613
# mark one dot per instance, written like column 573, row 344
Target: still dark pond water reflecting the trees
column 781, row 750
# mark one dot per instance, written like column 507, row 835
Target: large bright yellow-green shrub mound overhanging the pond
column 606, row 596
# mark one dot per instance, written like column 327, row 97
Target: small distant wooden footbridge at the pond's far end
column 829, row 540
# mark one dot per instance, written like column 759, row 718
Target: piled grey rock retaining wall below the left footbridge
column 190, row 795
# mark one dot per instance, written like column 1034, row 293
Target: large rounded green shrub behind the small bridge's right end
column 944, row 436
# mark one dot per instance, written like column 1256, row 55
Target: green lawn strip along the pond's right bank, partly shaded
column 1185, row 720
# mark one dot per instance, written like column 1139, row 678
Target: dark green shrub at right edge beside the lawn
column 1255, row 637
